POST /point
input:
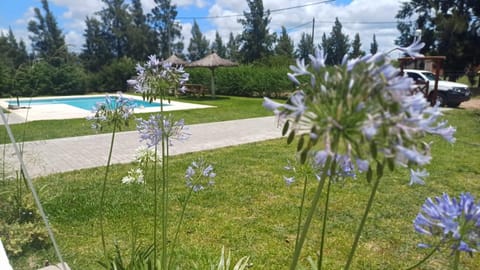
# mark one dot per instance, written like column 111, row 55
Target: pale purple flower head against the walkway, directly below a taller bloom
column 159, row 127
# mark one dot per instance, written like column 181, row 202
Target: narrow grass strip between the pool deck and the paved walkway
column 226, row 108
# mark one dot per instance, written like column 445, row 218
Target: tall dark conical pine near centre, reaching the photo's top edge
column 256, row 41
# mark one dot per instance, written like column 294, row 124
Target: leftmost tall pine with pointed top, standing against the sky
column 48, row 41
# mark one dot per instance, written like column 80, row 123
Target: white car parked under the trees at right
column 449, row 94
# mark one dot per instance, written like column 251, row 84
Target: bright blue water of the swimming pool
column 86, row 103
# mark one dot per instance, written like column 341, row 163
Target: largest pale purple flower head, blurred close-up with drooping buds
column 365, row 107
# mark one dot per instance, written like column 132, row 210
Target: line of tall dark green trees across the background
column 121, row 34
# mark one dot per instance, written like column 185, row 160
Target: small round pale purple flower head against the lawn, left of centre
column 199, row 175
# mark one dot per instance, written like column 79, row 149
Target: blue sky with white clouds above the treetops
column 357, row 16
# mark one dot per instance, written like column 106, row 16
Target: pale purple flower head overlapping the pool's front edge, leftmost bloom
column 116, row 110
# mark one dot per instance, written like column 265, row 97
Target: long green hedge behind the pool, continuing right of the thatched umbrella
column 42, row 79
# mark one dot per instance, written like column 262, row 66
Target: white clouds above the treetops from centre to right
column 356, row 17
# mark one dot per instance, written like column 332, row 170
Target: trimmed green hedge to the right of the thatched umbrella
column 244, row 80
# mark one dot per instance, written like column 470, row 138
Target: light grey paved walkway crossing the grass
column 67, row 154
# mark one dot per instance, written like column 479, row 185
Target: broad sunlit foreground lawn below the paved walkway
column 253, row 213
